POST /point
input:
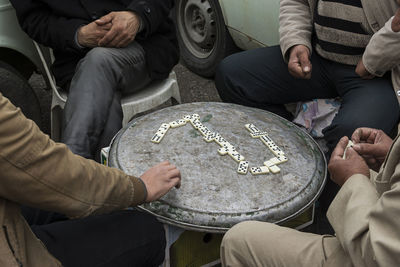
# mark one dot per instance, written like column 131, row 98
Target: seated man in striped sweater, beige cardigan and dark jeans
column 355, row 56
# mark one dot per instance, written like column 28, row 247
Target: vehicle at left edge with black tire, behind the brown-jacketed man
column 18, row 60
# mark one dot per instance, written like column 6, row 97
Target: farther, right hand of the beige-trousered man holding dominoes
column 372, row 145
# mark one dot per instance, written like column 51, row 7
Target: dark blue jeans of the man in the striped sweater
column 260, row 78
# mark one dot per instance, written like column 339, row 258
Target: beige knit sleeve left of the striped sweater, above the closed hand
column 295, row 25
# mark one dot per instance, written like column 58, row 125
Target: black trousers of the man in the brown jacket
column 122, row 238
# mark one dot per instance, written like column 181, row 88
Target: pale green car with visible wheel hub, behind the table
column 209, row 30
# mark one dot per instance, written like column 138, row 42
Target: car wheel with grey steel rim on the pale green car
column 203, row 37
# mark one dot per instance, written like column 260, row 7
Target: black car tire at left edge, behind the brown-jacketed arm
column 17, row 89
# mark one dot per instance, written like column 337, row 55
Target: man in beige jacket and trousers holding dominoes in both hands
column 365, row 215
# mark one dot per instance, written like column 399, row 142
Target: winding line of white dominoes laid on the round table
column 227, row 148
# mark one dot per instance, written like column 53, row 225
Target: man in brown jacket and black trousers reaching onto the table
column 39, row 173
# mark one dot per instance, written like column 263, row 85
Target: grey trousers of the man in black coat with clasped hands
column 93, row 112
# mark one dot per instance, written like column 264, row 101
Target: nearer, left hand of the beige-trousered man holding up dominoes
column 342, row 169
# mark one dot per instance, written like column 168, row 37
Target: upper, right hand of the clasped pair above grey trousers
column 125, row 25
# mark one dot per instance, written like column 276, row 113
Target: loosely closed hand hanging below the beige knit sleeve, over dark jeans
column 299, row 62
